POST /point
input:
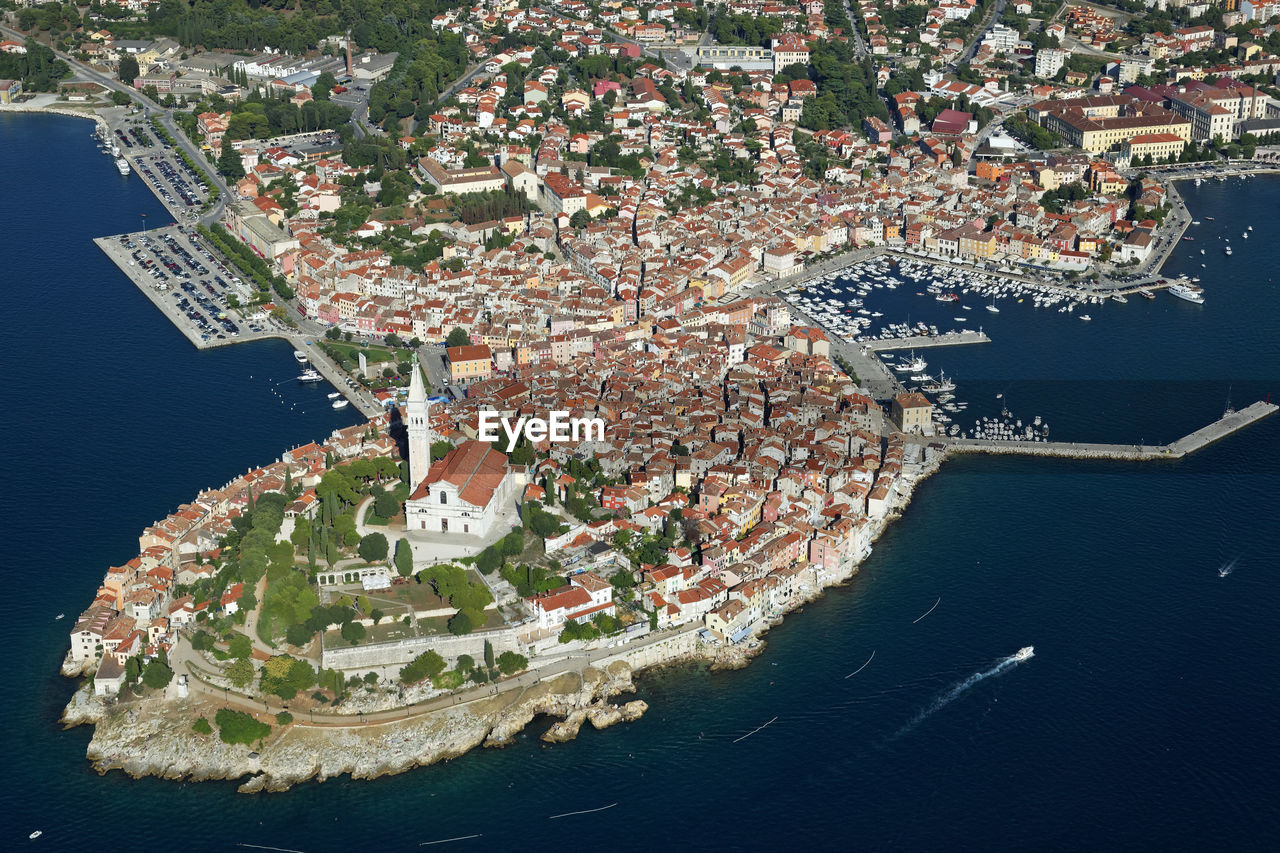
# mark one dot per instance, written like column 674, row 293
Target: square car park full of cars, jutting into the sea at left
column 190, row 281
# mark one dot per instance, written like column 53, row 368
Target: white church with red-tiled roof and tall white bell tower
column 463, row 494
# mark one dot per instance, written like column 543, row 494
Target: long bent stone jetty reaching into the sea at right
column 1226, row 426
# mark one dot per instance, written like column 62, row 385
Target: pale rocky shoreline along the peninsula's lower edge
column 154, row 737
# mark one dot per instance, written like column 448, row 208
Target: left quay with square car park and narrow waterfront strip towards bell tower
column 200, row 303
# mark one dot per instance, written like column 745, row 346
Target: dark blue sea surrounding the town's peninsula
column 1146, row 720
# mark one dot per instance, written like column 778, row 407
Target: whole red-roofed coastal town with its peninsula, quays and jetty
column 627, row 215
